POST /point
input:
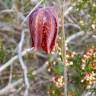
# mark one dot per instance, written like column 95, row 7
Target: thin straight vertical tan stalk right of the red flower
column 63, row 50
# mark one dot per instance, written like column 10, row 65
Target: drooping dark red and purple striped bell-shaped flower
column 43, row 25
